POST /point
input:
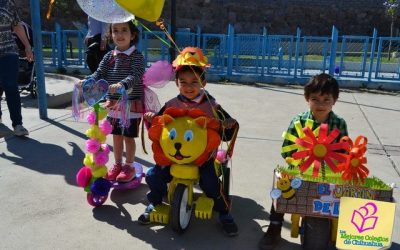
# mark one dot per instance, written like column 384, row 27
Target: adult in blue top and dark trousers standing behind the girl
column 96, row 42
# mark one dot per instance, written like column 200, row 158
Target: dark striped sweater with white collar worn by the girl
column 125, row 69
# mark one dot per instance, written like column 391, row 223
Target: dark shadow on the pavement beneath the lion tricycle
column 201, row 234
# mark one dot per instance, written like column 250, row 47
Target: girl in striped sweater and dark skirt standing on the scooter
column 123, row 67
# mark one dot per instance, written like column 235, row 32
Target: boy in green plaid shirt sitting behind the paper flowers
column 321, row 93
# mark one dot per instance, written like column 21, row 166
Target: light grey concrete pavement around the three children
column 42, row 207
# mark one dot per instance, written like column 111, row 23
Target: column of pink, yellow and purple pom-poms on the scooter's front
column 90, row 176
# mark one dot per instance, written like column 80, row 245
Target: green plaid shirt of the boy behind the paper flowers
column 333, row 121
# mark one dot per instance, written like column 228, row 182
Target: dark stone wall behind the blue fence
column 314, row 17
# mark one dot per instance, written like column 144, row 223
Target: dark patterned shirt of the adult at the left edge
column 8, row 19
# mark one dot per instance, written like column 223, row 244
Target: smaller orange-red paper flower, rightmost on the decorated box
column 353, row 168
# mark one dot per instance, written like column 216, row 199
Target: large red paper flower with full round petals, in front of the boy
column 318, row 150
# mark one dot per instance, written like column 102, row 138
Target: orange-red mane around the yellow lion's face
column 212, row 125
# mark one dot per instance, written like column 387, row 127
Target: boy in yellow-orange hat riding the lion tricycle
column 190, row 80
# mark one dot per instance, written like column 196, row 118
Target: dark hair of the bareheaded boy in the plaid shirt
column 322, row 83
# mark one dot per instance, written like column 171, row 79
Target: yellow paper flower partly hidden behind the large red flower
column 291, row 137
